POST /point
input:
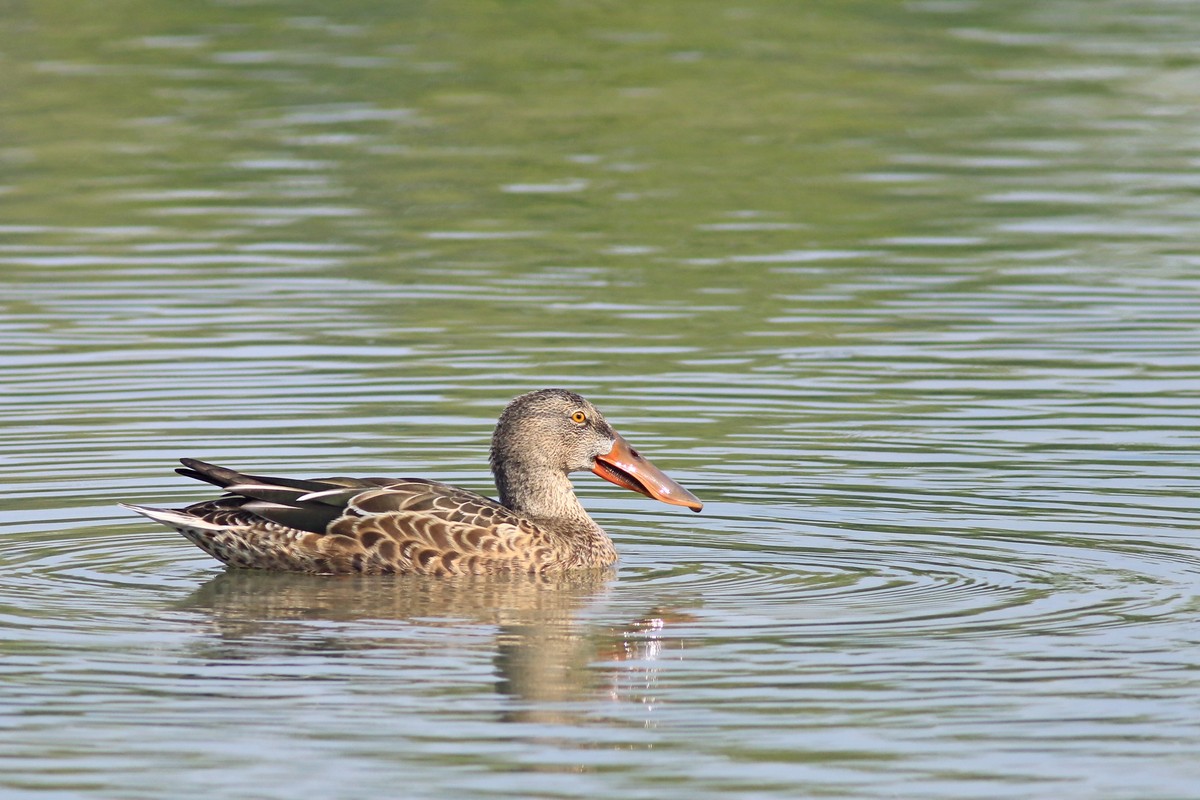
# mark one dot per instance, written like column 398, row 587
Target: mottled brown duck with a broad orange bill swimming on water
column 380, row 526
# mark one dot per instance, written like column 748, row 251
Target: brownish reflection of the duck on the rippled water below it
column 547, row 657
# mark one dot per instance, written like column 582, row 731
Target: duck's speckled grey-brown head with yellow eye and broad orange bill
column 557, row 430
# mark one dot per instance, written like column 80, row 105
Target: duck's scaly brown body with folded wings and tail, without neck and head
column 373, row 526
